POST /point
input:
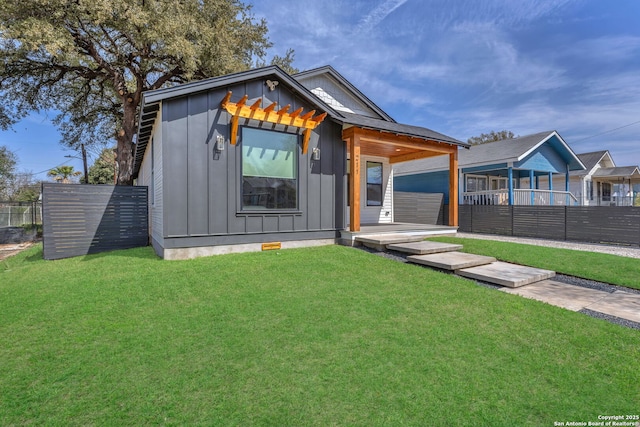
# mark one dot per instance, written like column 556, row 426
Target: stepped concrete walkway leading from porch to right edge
column 520, row 280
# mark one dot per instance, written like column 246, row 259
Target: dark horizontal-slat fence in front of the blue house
column 599, row 224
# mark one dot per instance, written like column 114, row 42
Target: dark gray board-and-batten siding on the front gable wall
column 202, row 186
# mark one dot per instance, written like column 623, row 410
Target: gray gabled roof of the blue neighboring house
column 505, row 151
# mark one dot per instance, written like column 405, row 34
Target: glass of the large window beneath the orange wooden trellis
column 269, row 170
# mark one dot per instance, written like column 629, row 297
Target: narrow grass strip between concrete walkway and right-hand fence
column 606, row 268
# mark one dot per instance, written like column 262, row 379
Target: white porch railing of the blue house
column 521, row 197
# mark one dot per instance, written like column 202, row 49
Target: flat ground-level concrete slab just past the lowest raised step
column 571, row 297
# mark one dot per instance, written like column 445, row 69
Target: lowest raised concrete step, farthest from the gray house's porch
column 505, row 274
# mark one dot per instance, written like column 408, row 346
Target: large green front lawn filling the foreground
column 317, row 336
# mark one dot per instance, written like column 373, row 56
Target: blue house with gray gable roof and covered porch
column 518, row 171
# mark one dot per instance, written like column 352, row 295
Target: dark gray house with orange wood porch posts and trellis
column 264, row 159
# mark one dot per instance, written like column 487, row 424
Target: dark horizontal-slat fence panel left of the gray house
column 85, row 219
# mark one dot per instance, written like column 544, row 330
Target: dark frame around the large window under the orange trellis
column 241, row 210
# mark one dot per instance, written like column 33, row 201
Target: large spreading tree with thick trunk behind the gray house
column 91, row 60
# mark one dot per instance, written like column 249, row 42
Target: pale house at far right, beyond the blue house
column 602, row 183
